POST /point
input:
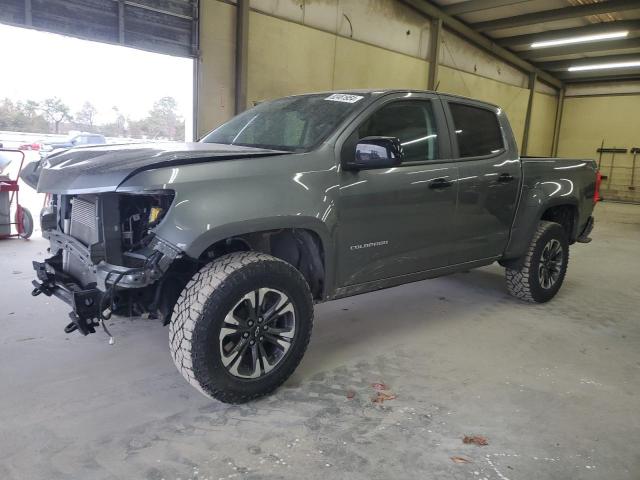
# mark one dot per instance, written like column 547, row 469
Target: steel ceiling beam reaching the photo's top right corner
column 557, row 14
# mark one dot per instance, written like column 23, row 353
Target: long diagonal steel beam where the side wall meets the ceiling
column 462, row 29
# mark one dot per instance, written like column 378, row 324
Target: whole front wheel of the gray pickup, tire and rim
column 241, row 326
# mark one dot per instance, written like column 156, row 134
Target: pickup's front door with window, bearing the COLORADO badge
column 397, row 221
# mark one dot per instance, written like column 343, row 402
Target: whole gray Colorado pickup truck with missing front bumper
column 303, row 199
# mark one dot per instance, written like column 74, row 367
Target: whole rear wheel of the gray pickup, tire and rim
column 538, row 276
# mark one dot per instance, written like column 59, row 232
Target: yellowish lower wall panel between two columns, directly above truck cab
column 280, row 54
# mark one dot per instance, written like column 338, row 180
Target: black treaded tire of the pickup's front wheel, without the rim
column 200, row 312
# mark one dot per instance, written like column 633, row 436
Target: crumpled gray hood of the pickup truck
column 102, row 168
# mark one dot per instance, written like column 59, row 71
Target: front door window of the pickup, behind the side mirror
column 412, row 122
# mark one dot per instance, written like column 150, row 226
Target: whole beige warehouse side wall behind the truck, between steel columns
column 300, row 46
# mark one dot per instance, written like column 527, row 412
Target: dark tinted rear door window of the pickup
column 477, row 130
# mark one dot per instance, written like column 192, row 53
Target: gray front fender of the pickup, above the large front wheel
column 213, row 202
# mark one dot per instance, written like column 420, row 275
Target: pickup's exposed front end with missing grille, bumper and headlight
column 106, row 257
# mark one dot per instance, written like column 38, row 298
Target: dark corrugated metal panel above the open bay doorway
column 162, row 26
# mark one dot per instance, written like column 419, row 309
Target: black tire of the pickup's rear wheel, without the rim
column 523, row 279
